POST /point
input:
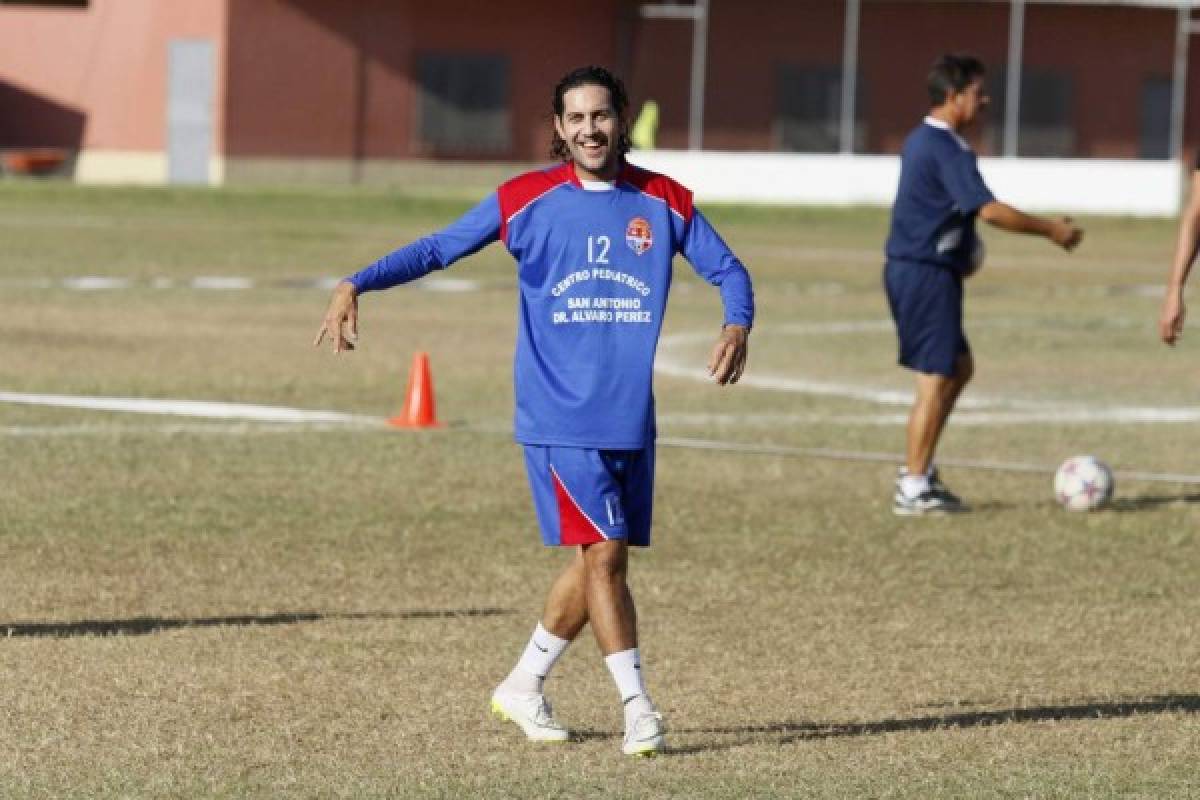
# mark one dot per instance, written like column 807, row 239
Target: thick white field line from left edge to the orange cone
column 189, row 408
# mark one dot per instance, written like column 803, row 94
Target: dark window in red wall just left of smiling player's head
column 464, row 106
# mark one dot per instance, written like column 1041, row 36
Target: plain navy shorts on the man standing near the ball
column 927, row 306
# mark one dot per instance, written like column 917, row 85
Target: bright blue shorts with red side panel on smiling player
column 586, row 496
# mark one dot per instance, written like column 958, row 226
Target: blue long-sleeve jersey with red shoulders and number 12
column 595, row 272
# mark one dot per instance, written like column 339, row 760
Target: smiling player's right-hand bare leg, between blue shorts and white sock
column 610, row 605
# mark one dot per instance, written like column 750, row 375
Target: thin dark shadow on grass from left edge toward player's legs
column 145, row 625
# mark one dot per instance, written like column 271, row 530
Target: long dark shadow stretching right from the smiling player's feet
column 783, row 733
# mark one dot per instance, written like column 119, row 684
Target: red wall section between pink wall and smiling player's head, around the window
column 311, row 79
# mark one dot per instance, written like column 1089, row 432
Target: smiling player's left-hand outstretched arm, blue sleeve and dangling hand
column 472, row 232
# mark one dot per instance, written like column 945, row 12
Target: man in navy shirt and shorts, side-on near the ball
column 932, row 248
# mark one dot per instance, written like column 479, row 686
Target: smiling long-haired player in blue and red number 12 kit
column 593, row 239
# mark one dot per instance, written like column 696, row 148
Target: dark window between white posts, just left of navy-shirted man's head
column 808, row 110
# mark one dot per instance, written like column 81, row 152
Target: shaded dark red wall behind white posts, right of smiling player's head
column 1107, row 51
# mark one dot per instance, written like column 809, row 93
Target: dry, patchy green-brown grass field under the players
column 206, row 609
